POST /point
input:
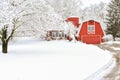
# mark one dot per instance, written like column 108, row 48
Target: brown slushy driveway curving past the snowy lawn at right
column 115, row 73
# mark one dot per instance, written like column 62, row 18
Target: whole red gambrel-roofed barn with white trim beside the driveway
column 91, row 32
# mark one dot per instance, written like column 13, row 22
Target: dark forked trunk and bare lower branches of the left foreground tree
column 5, row 37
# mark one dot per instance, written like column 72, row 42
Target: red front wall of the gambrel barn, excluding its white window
column 84, row 32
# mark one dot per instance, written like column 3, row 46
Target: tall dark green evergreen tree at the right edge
column 113, row 19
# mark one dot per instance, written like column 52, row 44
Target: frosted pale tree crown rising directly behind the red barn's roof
column 95, row 12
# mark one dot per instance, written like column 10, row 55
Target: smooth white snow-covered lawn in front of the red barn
column 54, row 60
